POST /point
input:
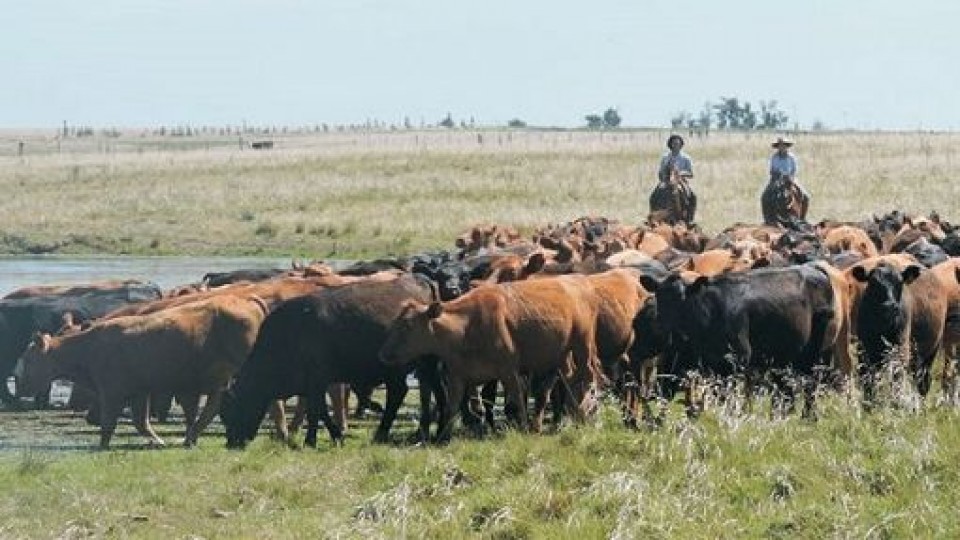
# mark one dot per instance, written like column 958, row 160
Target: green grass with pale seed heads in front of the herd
column 887, row 474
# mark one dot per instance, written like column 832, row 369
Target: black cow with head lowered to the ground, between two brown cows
column 307, row 343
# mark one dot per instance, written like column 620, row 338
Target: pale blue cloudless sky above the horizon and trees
column 866, row 64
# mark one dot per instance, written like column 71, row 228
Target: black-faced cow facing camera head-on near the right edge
column 904, row 309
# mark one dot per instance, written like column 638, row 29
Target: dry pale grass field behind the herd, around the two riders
column 356, row 194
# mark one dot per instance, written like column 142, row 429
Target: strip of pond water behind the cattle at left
column 167, row 272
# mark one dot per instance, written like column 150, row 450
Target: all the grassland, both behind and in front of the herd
column 889, row 474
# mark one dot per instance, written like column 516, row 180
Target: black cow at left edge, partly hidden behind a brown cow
column 22, row 317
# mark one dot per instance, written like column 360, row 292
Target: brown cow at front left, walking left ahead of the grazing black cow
column 188, row 350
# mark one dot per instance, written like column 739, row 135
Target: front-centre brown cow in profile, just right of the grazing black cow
column 501, row 332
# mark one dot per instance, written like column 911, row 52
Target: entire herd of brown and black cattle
column 644, row 310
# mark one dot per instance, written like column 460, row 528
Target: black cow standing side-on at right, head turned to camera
column 773, row 318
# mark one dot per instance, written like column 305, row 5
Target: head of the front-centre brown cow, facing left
column 411, row 334
